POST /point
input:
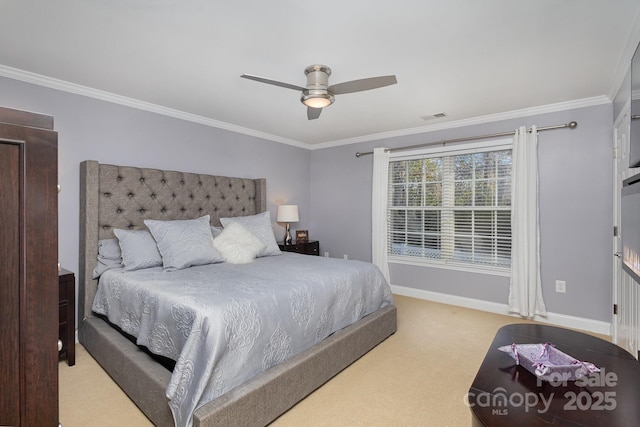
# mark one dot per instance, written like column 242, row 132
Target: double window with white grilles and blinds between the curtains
column 452, row 207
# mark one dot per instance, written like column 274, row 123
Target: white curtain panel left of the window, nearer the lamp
column 379, row 210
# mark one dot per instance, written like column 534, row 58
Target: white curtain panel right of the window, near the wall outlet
column 525, row 293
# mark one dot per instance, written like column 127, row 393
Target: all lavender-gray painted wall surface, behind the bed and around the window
column 333, row 188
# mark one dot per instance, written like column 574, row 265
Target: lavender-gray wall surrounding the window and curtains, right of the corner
column 576, row 213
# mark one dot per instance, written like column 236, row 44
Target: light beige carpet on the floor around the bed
column 417, row 377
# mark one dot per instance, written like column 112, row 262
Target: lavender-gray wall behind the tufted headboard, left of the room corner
column 110, row 133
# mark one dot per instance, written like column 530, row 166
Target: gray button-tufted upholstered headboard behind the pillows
column 123, row 197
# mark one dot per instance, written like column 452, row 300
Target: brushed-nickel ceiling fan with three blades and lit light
column 318, row 94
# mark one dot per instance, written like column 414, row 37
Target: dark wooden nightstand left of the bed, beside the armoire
column 67, row 315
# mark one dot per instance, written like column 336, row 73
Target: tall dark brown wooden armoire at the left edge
column 28, row 269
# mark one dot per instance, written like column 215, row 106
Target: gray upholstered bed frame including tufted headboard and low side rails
column 123, row 197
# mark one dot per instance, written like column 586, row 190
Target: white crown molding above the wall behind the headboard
column 49, row 82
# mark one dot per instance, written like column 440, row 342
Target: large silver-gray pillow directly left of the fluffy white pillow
column 184, row 242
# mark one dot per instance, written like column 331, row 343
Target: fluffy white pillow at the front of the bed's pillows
column 238, row 245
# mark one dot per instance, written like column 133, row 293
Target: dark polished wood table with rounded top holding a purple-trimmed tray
column 505, row 394
